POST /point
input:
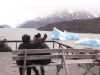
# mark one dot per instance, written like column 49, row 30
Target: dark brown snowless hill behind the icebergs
column 78, row 26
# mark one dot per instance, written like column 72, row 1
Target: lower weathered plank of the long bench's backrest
column 37, row 57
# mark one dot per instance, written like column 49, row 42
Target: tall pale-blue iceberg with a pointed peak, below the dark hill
column 59, row 35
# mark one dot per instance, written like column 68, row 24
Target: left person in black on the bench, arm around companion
column 27, row 45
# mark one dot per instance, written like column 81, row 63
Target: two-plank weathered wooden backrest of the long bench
column 55, row 54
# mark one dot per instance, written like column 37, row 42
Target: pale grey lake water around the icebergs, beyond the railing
column 16, row 34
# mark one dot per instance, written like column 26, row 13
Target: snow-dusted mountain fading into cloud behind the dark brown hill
column 56, row 17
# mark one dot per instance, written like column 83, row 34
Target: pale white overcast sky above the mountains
column 14, row 12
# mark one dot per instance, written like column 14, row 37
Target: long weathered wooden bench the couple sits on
column 89, row 57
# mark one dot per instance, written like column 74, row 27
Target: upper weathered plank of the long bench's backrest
column 30, row 51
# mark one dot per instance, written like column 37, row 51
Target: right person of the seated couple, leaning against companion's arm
column 42, row 46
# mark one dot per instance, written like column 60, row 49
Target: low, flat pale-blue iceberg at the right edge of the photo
column 86, row 41
